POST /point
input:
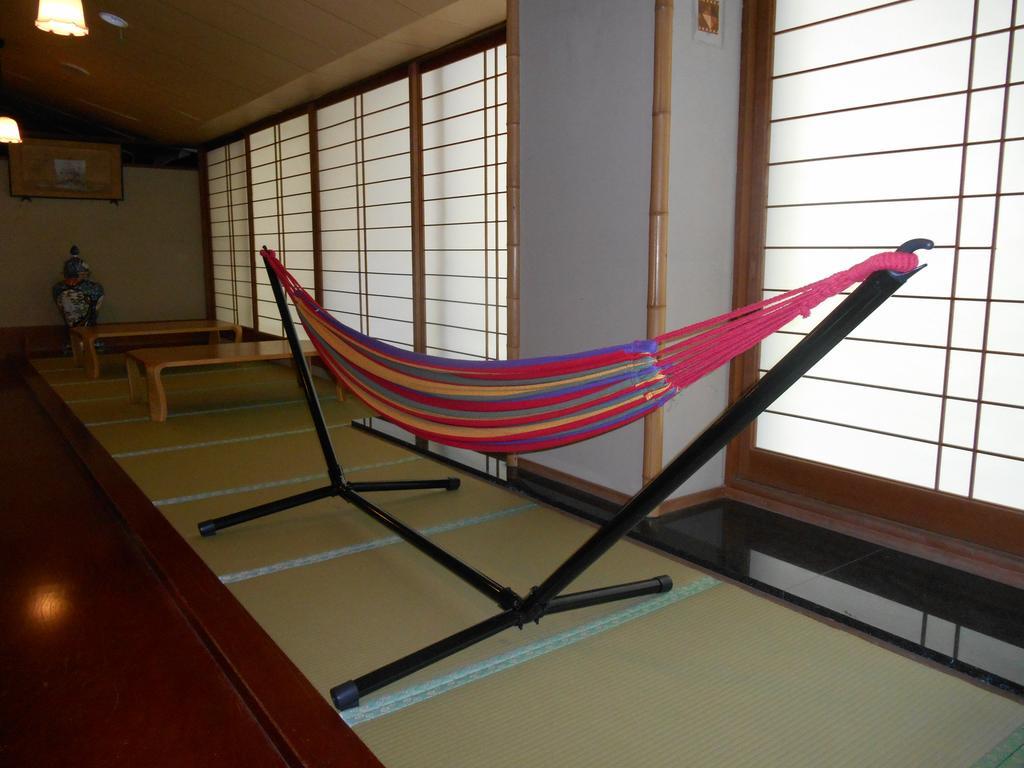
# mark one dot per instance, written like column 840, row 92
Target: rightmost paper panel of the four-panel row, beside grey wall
column 464, row 164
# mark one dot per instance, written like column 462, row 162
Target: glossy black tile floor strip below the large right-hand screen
column 970, row 624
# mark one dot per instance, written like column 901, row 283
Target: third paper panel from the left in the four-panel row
column 366, row 212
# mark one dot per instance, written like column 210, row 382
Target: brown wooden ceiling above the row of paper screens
column 186, row 72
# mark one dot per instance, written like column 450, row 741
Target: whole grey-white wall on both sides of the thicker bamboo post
column 586, row 101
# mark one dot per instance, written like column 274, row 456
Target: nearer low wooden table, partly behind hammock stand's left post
column 152, row 362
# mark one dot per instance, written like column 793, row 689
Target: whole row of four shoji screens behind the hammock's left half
column 404, row 233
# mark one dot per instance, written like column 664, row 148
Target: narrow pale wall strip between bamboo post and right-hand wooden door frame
column 705, row 124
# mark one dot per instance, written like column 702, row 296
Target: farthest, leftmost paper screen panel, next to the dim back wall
column 230, row 246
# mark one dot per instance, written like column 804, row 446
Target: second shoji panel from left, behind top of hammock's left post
column 282, row 205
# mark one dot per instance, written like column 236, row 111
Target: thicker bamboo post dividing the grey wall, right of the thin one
column 658, row 232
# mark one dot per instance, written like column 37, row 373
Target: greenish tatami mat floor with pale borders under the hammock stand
column 708, row 675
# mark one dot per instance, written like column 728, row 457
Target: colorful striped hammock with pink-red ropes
column 534, row 405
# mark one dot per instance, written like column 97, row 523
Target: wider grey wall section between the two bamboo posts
column 586, row 103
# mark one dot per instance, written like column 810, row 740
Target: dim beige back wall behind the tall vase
column 147, row 251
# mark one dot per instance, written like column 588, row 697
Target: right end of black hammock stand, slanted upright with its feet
column 548, row 598
